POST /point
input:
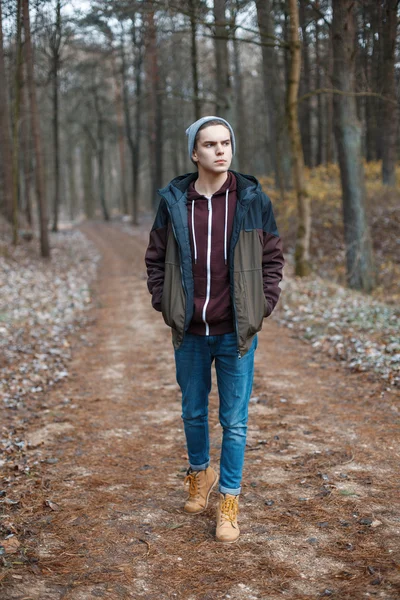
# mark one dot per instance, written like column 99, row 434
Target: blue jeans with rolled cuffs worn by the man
column 193, row 360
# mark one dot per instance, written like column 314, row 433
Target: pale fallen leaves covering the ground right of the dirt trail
column 362, row 333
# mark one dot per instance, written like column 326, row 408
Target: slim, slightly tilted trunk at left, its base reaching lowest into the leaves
column 39, row 167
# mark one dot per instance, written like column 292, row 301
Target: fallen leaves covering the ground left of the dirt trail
column 41, row 304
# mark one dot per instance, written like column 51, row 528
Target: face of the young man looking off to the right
column 213, row 152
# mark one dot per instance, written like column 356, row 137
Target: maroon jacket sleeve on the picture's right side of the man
column 272, row 259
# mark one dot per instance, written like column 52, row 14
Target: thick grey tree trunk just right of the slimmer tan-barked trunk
column 360, row 270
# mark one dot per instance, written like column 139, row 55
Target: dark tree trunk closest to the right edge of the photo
column 390, row 115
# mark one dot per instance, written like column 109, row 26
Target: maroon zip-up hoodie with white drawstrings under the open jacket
column 209, row 242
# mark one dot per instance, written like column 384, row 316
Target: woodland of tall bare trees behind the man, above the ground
column 95, row 99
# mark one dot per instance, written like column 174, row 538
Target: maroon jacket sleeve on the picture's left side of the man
column 155, row 255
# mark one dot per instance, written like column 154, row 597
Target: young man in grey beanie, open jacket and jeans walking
column 214, row 263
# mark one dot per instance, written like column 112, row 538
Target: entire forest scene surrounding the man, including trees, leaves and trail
column 95, row 98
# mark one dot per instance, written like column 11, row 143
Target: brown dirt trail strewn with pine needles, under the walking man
column 318, row 509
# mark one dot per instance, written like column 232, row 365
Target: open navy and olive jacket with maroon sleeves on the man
column 255, row 259
